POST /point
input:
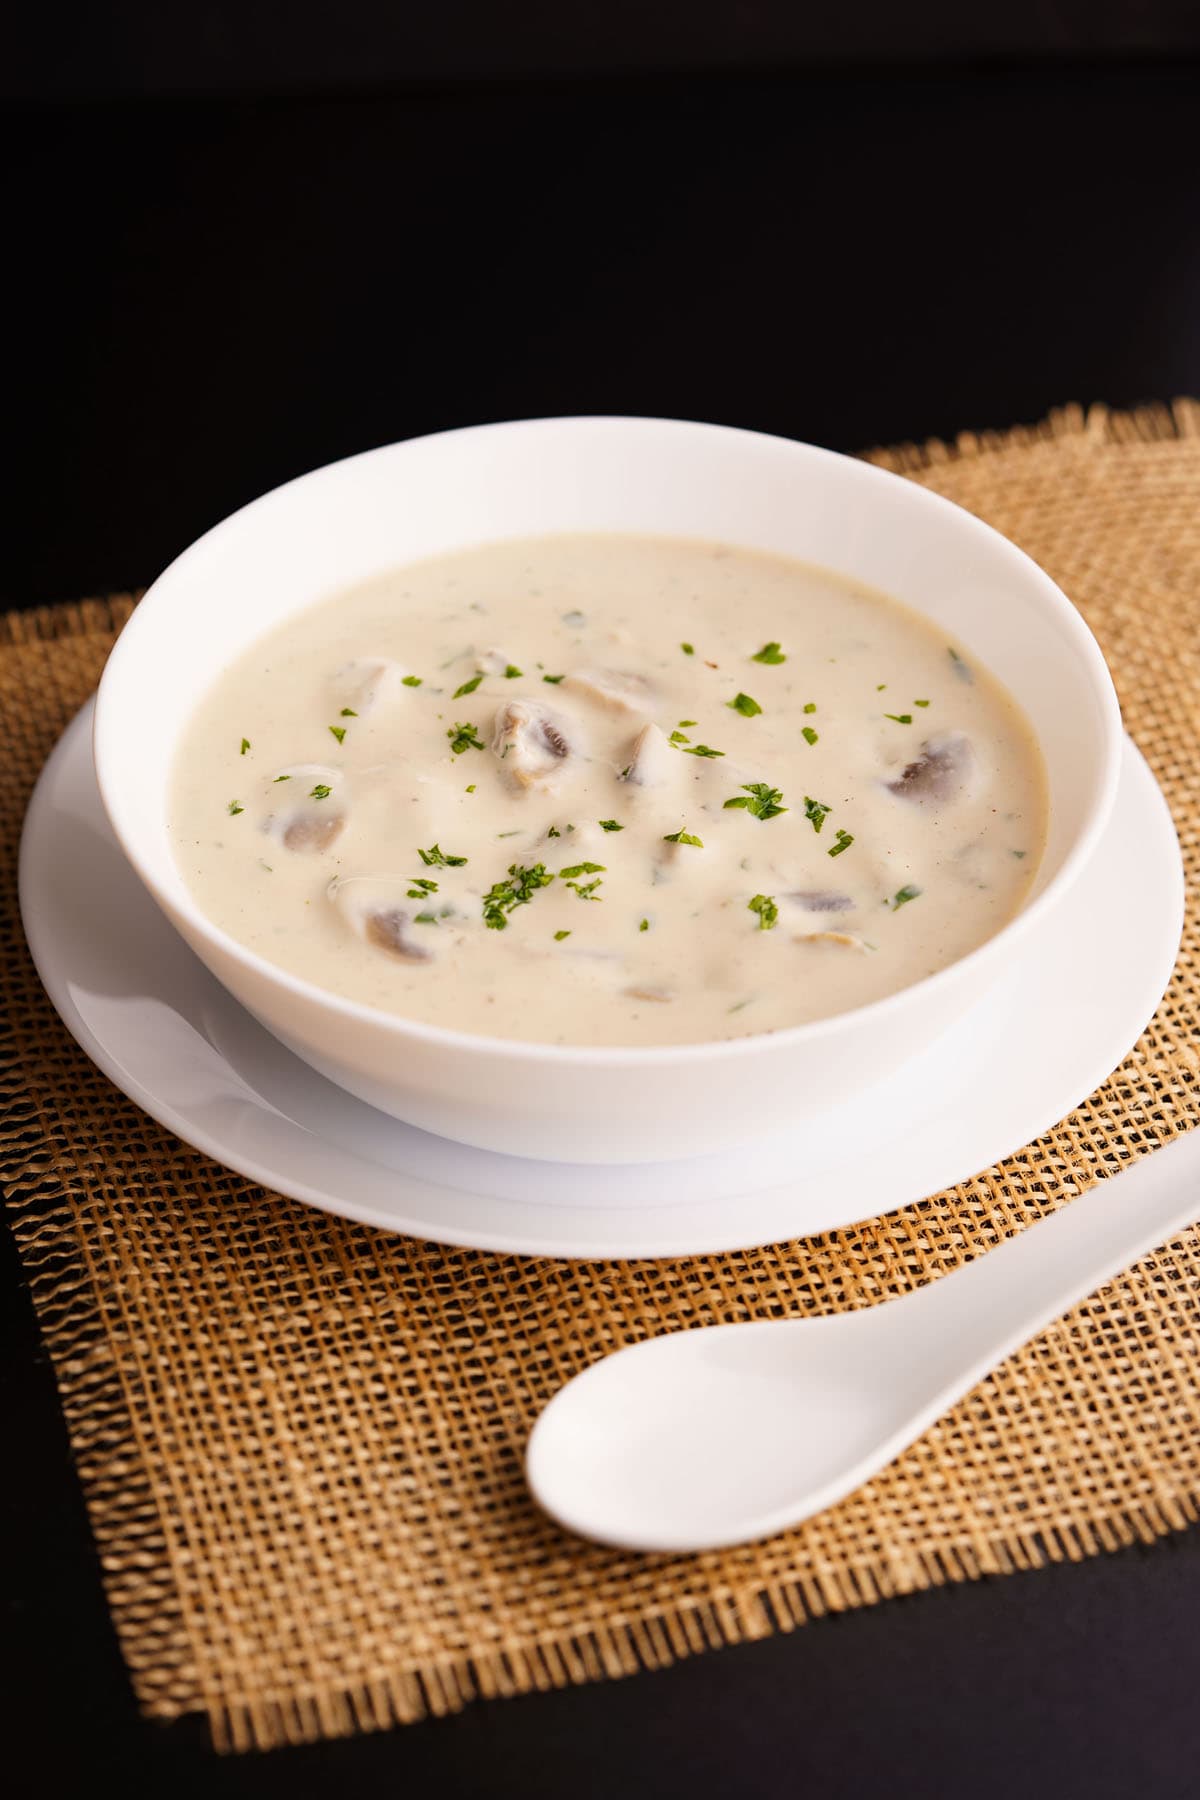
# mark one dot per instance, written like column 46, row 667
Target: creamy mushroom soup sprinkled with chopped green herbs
column 470, row 793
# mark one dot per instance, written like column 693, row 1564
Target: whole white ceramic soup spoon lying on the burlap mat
column 713, row 1437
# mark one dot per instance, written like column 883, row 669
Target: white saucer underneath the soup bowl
column 172, row 1038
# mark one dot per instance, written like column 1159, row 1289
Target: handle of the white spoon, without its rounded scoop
column 1007, row 1297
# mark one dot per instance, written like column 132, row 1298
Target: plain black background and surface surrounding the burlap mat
column 247, row 238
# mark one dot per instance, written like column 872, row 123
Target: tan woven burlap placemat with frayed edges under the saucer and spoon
column 301, row 1441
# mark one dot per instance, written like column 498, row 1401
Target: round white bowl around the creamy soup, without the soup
column 355, row 519
